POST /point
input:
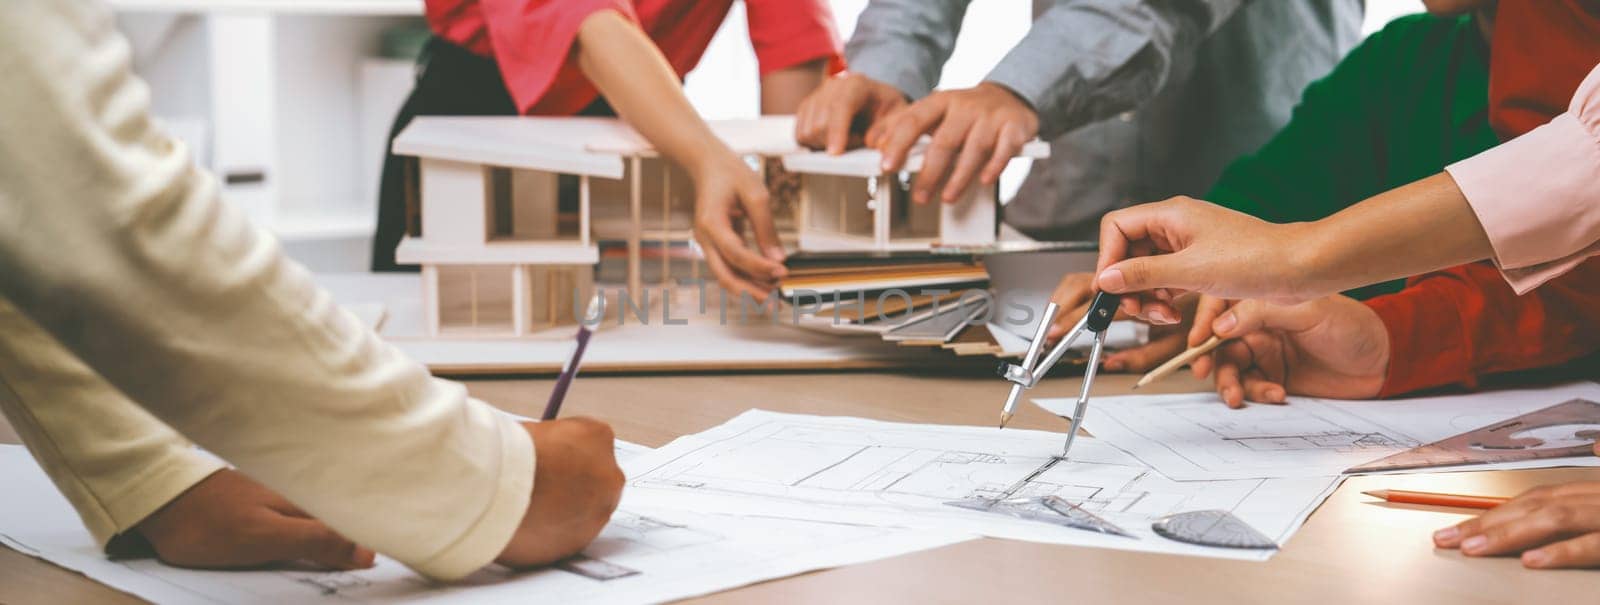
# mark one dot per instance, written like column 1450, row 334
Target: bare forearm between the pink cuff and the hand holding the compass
column 1409, row 231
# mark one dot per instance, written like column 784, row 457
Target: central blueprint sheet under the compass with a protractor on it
column 889, row 475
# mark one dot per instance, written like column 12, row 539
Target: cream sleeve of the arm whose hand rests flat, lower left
column 113, row 460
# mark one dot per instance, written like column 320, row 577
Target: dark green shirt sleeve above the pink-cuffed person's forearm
column 1409, row 102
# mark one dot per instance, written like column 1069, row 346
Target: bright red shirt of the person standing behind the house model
column 532, row 39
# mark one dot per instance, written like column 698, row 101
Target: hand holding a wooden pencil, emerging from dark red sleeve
column 1334, row 347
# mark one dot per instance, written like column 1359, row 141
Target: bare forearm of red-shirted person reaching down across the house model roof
column 638, row 82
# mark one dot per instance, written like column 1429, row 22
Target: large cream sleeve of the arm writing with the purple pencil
column 116, row 246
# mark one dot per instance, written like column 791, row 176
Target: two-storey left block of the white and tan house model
column 500, row 255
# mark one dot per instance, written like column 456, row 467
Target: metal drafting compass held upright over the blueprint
column 1023, row 377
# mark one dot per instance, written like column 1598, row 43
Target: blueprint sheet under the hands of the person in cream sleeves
column 662, row 555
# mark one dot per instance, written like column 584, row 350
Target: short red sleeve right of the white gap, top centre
column 790, row 33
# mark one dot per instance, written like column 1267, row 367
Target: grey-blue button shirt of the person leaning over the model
column 1142, row 100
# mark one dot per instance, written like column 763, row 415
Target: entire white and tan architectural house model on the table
column 510, row 212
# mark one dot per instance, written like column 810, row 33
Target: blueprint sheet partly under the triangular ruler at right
column 1196, row 438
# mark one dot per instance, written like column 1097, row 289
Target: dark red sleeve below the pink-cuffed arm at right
column 1457, row 326
